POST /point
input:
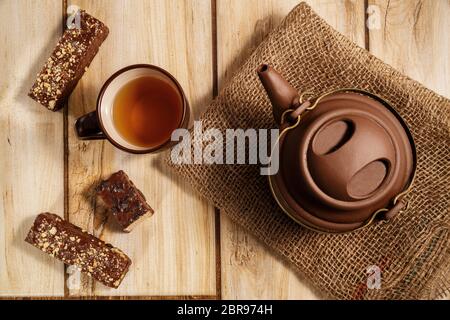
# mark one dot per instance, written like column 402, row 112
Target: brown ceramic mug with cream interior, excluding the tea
column 100, row 124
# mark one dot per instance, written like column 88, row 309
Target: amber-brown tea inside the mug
column 147, row 110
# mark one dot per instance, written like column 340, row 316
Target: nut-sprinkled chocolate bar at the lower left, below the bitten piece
column 73, row 246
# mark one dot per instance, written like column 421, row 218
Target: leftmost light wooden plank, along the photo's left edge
column 31, row 156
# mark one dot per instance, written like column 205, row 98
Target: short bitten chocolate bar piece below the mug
column 125, row 202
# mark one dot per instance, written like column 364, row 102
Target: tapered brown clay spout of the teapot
column 281, row 93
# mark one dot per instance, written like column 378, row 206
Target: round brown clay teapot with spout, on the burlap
column 346, row 158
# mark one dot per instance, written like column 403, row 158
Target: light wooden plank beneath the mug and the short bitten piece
column 173, row 253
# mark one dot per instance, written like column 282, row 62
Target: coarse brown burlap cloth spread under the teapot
column 412, row 250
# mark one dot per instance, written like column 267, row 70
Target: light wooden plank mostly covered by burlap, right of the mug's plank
column 249, row 270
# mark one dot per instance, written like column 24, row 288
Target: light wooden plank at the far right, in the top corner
column 413, row 38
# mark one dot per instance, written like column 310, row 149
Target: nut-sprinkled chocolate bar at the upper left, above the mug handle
column 68, row 62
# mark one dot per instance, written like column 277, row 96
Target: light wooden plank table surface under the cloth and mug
column 186, row 250
